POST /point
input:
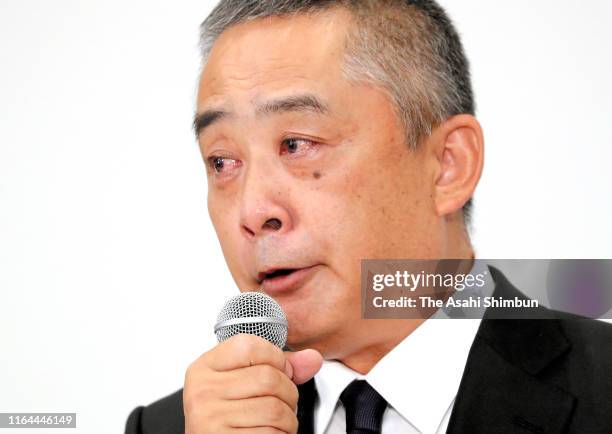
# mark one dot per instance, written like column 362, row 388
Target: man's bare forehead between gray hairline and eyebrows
column 274, row 53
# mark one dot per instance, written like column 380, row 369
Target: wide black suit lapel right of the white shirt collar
column 501, row 390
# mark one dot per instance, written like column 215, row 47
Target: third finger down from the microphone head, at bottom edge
column 261, row 411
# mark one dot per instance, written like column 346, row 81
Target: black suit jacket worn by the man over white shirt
column 521, row 376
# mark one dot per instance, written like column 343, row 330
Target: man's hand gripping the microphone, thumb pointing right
column 246, row 385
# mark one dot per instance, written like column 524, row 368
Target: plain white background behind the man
column 110, row 272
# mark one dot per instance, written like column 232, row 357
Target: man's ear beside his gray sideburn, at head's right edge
column 460, row 155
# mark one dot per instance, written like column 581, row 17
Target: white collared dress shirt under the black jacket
column 419, row 379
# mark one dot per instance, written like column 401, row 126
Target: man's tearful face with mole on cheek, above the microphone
column 308, row 173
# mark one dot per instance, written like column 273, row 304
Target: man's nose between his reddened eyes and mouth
column 264, row 207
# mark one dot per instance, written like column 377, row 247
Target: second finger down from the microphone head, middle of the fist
column 259, row 380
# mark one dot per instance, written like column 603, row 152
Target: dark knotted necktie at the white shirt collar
column 364, row 408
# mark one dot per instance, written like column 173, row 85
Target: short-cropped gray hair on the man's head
column 409, row 48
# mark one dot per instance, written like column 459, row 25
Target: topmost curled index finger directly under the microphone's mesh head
column 243, row 350
